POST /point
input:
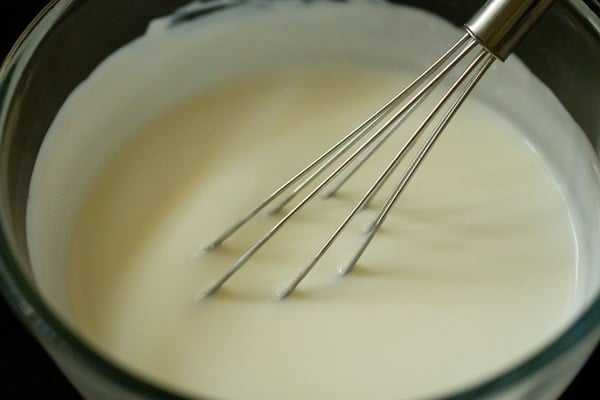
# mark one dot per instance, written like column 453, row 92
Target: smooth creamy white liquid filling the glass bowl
column 476, row 268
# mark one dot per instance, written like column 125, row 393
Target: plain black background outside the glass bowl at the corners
column 25, row 370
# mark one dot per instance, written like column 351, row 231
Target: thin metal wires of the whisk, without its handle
column 384, row 122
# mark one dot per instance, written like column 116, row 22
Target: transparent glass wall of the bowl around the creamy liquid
column 70, row 41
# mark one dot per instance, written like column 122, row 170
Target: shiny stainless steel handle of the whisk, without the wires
column 501, row 24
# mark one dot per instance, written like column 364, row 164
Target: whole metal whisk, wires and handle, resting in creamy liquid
column 491, row 34
